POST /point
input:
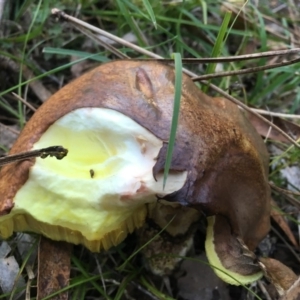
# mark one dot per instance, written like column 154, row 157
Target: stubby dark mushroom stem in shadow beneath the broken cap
column 167, row 236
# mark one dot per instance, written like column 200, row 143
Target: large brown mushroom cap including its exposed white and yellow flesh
column 115, row 122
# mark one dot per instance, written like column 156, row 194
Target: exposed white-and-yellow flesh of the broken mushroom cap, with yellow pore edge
column 98, row 192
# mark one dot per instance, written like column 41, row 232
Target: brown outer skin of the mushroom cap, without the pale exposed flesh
column 225, row 159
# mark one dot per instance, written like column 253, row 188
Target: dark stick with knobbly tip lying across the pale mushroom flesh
column 58, row 151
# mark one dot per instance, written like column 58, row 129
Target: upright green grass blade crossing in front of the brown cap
column 175, row 117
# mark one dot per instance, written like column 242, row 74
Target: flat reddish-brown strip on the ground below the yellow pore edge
column 53, row 268
